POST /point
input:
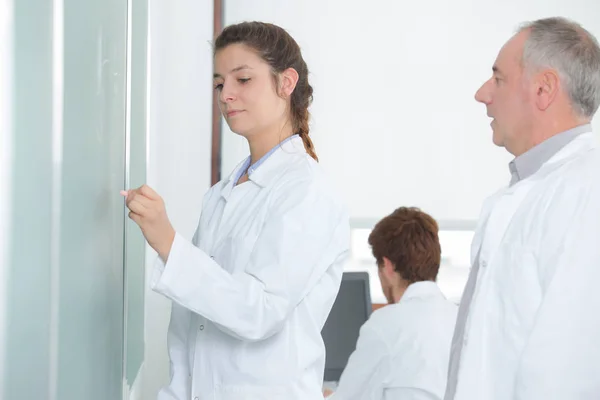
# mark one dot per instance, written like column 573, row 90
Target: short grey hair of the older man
column 573, row 53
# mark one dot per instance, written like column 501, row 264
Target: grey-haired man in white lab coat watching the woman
column 528, row 326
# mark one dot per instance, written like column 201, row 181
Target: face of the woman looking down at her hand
column 247, row 91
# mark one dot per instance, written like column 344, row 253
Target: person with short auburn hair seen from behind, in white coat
column 403, row 349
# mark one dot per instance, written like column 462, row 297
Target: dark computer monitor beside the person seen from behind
column 351, row 309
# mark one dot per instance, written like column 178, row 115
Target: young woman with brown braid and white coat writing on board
column 253, row 289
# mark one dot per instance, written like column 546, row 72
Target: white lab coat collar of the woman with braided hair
column 266, row 173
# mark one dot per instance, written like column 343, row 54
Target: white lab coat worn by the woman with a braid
column 252, row 291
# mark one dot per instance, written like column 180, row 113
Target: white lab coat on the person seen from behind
column 403, row 349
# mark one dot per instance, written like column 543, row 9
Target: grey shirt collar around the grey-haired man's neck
column 527, row 164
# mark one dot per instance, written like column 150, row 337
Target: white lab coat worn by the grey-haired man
column 533, row 329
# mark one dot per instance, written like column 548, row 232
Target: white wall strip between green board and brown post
column 179, row 143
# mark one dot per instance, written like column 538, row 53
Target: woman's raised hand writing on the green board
column 147, row 209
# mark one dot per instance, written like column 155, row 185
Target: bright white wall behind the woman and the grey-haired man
column 394, row 119
